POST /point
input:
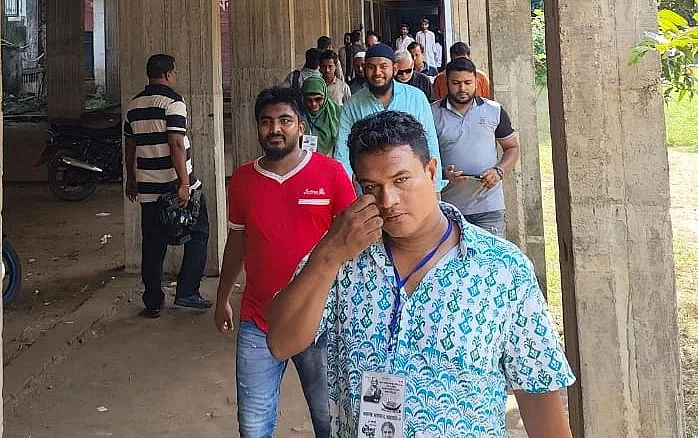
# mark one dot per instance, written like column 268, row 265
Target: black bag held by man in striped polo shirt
column 177, row 221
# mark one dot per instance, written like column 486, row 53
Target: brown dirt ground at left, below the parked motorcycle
column 63, row 258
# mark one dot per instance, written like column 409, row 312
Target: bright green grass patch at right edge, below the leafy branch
column 682, row 124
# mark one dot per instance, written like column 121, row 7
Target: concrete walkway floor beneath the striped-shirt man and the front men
column 172, row 377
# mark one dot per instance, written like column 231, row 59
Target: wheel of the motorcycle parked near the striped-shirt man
column 70, row 183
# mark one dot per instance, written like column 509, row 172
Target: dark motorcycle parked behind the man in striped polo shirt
column 78, row 158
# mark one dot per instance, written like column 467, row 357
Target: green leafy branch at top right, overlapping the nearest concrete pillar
column 677, row 45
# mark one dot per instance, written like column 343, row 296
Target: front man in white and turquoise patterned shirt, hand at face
column 410, row 293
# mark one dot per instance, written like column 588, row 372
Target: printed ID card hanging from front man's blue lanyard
column 382, row 406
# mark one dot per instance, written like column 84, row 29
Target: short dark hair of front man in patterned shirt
column 385, row 130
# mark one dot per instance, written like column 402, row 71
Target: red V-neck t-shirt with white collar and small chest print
column 283, row 217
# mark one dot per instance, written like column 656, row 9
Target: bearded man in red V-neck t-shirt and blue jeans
column 279, row 207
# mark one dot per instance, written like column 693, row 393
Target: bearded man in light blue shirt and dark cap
column 384, row 93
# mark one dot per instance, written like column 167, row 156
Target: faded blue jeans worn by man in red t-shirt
column 259, row 382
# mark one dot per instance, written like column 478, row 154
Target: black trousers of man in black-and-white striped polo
column 155, row 248
